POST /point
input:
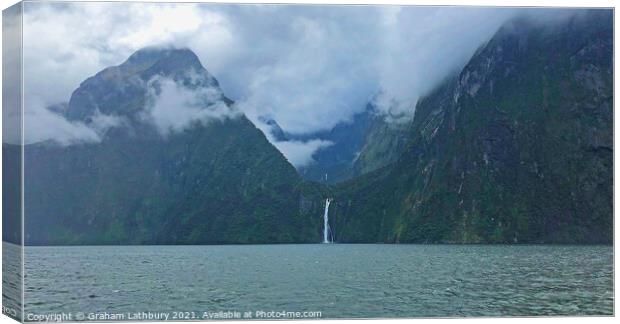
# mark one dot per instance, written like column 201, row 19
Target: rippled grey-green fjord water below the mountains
column 339, row 280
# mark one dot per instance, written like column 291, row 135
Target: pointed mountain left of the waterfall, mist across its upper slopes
column 153, row 180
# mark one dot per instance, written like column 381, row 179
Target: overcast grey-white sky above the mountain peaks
column 308, row 67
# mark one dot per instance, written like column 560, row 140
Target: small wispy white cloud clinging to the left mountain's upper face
column 173, row 107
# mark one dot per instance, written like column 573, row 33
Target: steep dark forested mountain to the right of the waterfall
column 517, row 148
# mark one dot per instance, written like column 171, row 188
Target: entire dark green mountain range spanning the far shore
column 515, row 148
